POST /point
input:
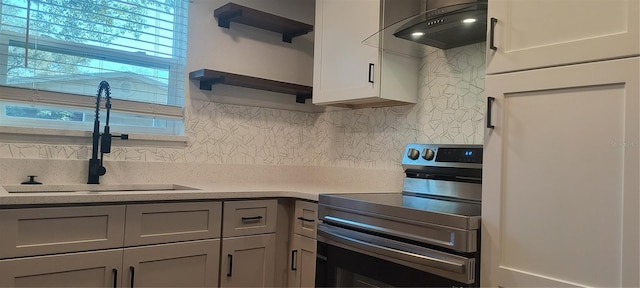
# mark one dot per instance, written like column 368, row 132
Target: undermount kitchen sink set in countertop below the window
column 94, row 188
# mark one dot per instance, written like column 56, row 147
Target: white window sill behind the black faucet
column 75, row 137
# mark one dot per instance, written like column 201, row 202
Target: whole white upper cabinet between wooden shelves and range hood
column 350, row 73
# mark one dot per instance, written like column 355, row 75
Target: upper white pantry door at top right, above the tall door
column 533, row 34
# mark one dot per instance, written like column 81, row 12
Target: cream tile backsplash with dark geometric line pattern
column 450, row 109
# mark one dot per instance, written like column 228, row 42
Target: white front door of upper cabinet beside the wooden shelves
column 344, row 68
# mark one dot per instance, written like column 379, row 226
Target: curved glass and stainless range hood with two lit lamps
column 444, row 24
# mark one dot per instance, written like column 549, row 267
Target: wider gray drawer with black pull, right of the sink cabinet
column 249, row 217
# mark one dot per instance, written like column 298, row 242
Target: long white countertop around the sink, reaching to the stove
column 212, row 181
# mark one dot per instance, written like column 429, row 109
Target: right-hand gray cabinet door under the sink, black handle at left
column 186, row 264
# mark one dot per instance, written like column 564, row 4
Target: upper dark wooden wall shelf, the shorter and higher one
column 289, row 29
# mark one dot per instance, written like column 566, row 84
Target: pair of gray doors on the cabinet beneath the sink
column 187, row 264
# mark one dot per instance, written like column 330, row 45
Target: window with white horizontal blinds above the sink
column 54, row 53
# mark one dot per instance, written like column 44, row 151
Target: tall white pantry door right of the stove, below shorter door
column 560, row 184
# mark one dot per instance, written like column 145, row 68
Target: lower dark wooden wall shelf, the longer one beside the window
column 208, row 78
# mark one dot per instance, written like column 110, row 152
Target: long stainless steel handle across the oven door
column 367, row 245
